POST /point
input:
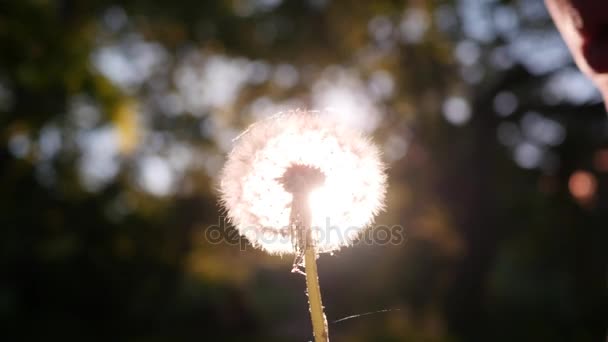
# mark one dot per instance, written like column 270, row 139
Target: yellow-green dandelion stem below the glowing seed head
column 319, row 322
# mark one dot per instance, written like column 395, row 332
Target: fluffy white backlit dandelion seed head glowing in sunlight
column 281, row 154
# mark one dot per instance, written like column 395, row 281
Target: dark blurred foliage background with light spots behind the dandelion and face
column 115, row 117
